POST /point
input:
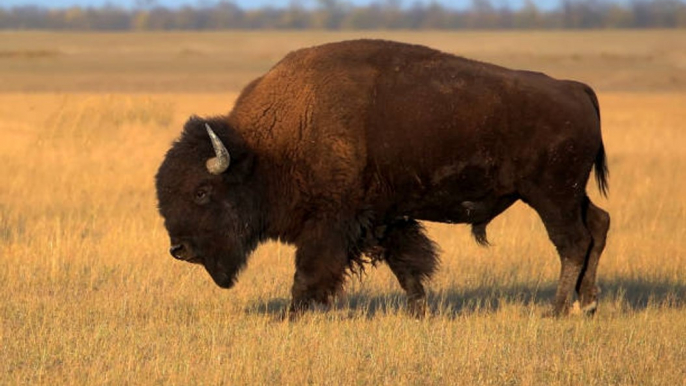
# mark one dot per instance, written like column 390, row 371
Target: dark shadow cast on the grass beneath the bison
column 631, row 295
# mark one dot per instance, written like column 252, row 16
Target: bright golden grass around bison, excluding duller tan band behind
column 89, row 295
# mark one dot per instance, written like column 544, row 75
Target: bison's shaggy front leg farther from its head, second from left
column 413, row 258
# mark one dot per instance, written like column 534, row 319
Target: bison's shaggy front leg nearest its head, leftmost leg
column 320, row 265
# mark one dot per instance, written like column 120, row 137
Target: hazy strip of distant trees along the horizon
column 340, row 15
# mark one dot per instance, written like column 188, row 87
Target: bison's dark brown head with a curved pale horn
column 209, row 198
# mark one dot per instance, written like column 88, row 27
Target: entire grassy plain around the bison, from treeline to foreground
column 89, row 294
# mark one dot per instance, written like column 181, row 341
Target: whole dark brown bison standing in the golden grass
column 340, row 150
